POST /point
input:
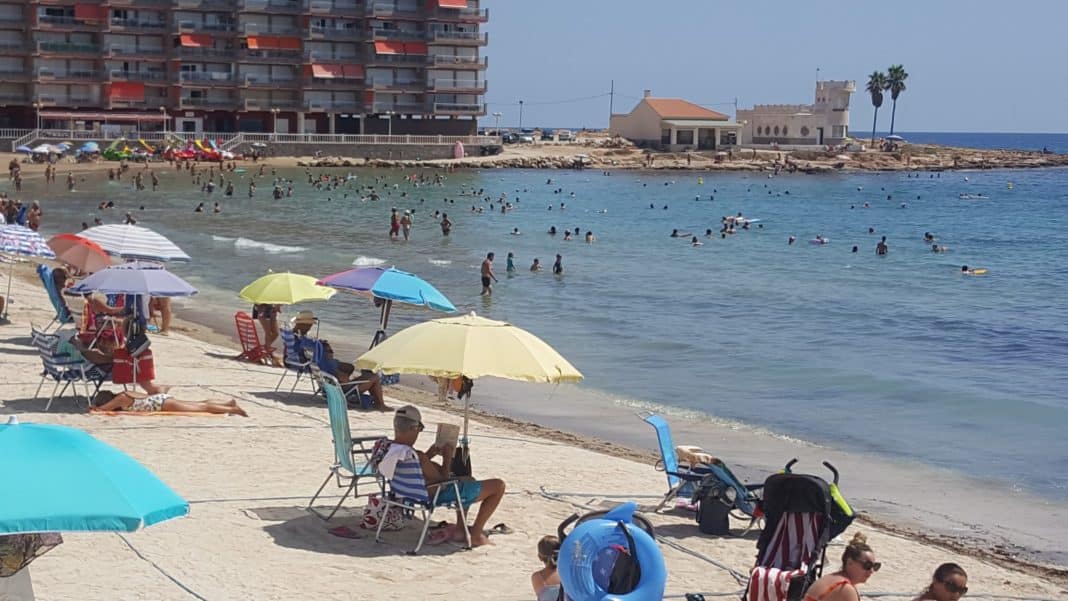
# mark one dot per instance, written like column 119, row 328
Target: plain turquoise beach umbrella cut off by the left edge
column 61, row 480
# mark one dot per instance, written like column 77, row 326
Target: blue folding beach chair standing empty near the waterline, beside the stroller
column 683, row 482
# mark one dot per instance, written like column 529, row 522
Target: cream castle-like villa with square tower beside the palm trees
column 824, row 123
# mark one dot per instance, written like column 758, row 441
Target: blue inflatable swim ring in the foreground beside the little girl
column 598, row 546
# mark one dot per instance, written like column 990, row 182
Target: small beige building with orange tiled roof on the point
column 674, row 124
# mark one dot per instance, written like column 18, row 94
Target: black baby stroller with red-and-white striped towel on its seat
column 803, row 514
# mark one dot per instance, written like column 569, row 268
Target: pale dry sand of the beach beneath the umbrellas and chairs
column 248, row 535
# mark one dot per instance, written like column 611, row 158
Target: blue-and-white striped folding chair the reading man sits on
column 409, row 492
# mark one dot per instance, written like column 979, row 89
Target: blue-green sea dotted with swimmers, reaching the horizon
column 899, row 356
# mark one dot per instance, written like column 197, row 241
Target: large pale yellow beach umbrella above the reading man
column 469, row 346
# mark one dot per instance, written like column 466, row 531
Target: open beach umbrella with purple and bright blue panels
column 390, row 286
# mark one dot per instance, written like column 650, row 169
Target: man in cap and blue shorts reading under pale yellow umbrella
column 407, row 425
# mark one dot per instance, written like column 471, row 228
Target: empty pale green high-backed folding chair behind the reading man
column 352, row 456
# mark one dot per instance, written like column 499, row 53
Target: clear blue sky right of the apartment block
column 973, row 67
